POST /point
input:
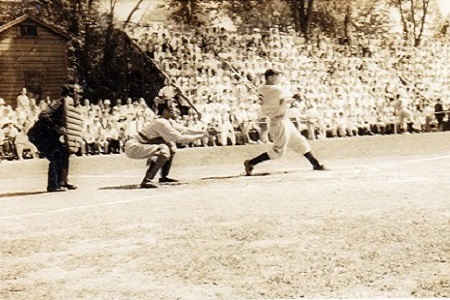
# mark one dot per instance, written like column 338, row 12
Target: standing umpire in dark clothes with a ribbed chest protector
column 57, row 134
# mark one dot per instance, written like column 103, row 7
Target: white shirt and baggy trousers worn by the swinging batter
column 282, row 131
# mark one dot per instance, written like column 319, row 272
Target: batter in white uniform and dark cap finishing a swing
column 282, row 131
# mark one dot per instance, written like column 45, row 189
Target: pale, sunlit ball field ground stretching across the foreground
column 376, row 225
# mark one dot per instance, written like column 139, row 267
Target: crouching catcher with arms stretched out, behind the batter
column 156, row 143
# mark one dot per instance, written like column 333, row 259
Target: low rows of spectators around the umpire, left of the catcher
column 105, row 130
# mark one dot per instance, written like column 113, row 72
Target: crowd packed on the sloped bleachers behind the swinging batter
column 367, row 87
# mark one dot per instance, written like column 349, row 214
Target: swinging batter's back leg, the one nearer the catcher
column 280, row 138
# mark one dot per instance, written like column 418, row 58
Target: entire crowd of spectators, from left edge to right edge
column 377, row 86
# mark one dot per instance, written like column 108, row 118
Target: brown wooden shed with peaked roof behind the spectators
column 32, row 55
